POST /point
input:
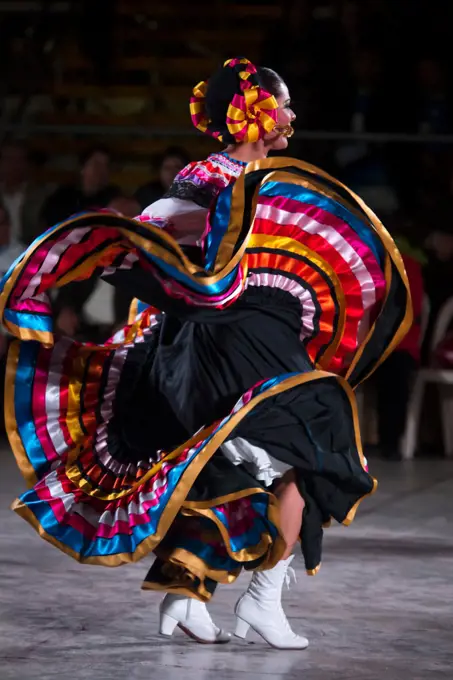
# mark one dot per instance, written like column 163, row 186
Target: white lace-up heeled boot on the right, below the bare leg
column 260, row 608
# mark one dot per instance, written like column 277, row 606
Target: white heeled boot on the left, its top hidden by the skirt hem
column 192, row 617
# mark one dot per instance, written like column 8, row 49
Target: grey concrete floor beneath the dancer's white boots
column 381, row 607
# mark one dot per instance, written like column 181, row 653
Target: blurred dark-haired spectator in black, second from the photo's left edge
column 93, row 191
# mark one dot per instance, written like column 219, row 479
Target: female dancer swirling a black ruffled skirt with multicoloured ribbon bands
column 169, row 438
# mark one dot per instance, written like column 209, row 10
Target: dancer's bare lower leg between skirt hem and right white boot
column 291, row 508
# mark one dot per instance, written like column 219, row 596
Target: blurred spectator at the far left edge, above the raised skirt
column 21, row 197
